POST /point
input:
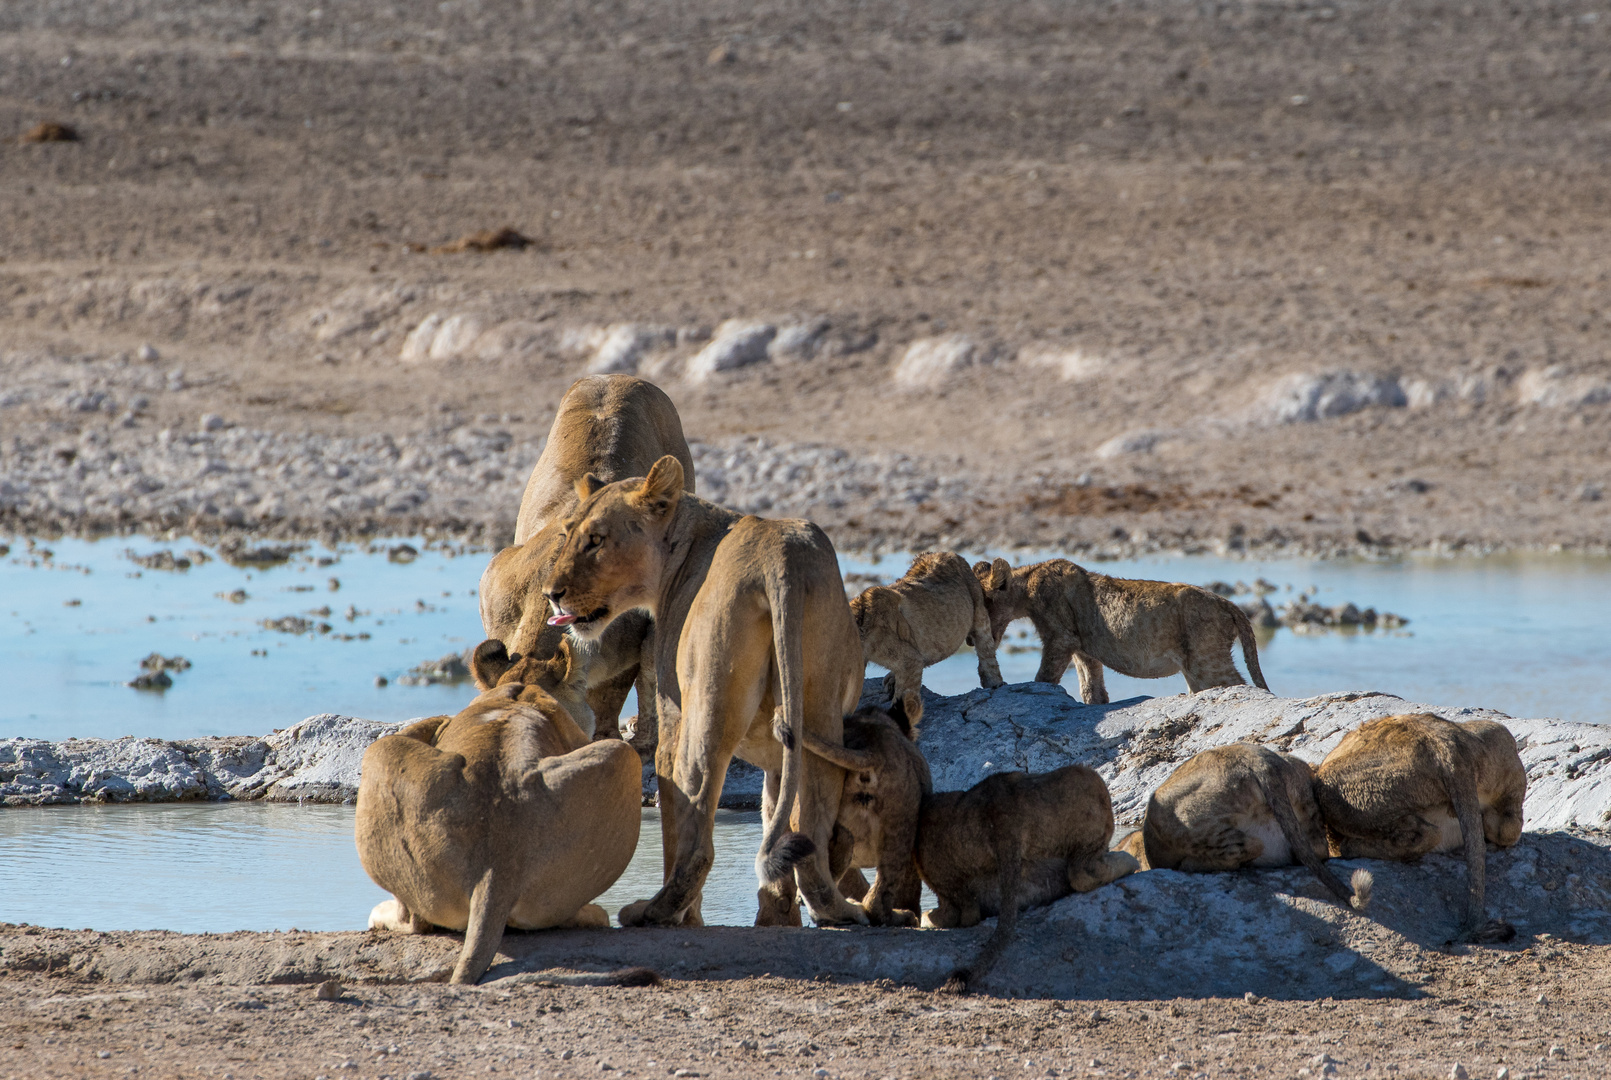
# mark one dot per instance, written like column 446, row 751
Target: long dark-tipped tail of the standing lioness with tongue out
column 781, row 849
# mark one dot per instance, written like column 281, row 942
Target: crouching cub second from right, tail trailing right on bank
column 1235, row 807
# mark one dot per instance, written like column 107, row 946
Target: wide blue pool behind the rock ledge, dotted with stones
column 1522, row 634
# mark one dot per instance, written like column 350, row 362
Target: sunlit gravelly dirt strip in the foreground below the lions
column 1536, row 1011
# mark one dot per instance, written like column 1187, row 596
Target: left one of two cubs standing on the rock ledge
column 922, row 620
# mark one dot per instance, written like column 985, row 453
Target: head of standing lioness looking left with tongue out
column 611, row 552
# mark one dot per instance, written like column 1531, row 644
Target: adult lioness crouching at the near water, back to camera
column 503, row 815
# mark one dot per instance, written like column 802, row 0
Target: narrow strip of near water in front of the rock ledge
column 255, row 866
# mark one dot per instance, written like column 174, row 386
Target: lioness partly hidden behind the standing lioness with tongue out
column 613, row 428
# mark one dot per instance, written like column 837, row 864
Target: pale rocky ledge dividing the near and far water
column 1133, row 744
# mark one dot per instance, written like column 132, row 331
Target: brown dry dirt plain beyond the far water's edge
column 1143, row 217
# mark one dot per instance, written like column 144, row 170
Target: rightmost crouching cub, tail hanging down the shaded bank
column 1404, row 786
